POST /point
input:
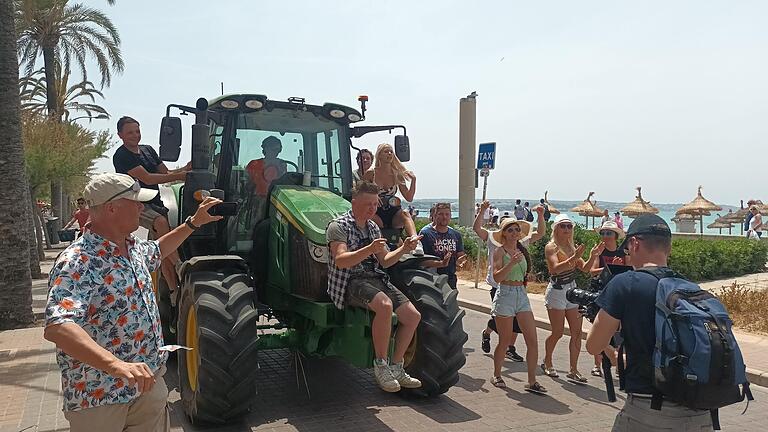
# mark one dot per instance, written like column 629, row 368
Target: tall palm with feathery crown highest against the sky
column 63, row 34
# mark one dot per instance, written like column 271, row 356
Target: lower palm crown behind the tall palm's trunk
column 33, row 91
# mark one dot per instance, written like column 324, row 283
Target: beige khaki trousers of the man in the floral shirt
column 147, row 413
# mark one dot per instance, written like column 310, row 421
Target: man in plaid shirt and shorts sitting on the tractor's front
column 356, row 278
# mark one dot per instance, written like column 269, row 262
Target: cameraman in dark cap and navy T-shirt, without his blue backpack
column 629, row 300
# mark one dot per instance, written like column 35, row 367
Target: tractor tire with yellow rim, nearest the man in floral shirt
column 217, row 318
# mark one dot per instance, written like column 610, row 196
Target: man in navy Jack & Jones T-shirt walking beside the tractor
column 445, row 242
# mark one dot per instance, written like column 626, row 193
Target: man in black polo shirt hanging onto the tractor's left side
column 143, row 164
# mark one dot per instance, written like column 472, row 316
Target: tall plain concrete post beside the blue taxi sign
column 467, row 159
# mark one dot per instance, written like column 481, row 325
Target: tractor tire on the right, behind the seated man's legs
column 437, row 352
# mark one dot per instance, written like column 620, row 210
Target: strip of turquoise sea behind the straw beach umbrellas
column 666, row 211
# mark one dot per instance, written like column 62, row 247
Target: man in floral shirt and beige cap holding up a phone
column 103, row 317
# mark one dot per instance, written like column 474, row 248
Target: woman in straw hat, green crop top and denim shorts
column 511, row 265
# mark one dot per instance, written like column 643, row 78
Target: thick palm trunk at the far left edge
column 15, row 219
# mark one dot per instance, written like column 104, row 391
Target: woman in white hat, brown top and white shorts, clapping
column 563, row 260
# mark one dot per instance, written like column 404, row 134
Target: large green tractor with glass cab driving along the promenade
column 257, row 279
